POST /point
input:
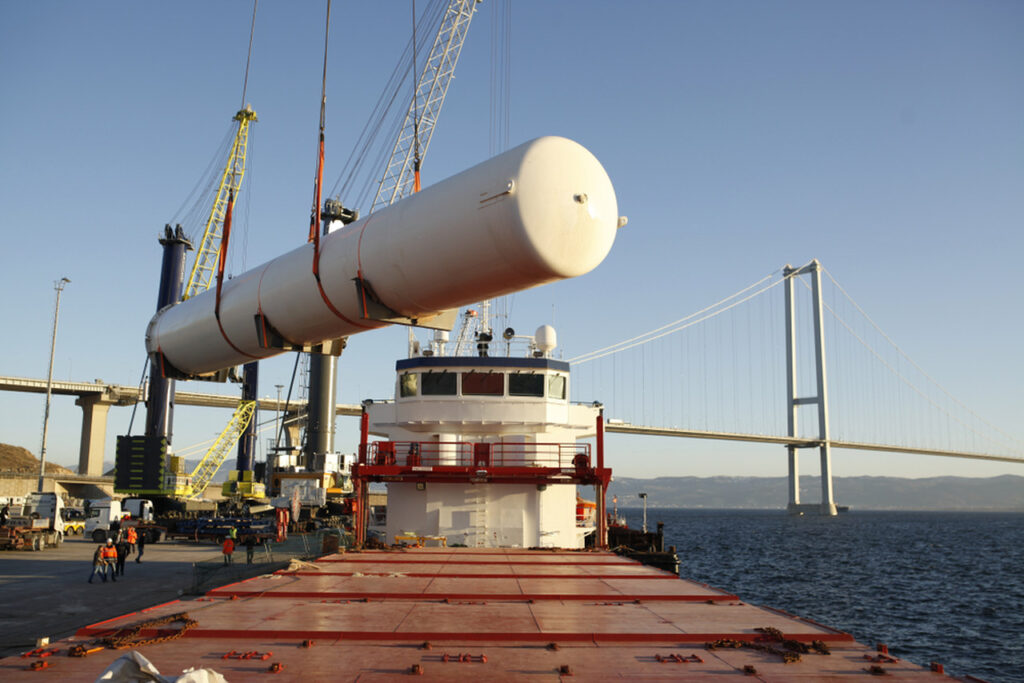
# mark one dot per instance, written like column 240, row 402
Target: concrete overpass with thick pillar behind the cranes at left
column 97, row 398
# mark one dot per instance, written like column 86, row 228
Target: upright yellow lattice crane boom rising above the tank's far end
column 208, row 252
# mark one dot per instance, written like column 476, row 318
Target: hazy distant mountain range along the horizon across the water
column 1002, row 493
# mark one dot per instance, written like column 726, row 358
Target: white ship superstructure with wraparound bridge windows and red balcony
column 484, row 451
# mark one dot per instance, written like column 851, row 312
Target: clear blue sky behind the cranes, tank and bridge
column 885, row 140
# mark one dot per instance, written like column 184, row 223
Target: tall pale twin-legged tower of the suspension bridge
column 828, row 505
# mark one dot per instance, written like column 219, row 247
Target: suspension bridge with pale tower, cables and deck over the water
column 808, row 370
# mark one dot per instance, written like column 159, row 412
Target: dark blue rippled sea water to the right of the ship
column 945, row 587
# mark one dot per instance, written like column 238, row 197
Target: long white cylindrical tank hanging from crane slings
column 541, row 212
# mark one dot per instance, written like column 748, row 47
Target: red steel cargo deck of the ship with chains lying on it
column 475, row 614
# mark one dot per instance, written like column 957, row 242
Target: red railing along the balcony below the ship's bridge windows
column 490, row 455
